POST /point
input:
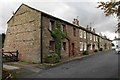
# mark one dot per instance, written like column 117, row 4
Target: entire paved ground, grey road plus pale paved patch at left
column 100, row 65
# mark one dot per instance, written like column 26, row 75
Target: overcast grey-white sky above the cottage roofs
column 86, row 11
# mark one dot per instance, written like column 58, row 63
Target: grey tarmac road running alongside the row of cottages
column 101, row 65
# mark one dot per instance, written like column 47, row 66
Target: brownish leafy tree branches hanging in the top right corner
column 111, row 8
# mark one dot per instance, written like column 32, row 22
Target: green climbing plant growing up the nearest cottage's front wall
column 58, row 36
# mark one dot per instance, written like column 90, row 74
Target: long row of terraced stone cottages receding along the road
column 28, row 33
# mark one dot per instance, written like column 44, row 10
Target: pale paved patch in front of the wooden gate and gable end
column 21, row 69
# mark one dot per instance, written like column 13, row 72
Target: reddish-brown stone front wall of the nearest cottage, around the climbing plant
column 47, row 37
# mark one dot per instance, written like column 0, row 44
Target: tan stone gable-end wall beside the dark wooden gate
column 23, row 34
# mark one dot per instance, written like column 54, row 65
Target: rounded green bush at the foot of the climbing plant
column 52, row 58
